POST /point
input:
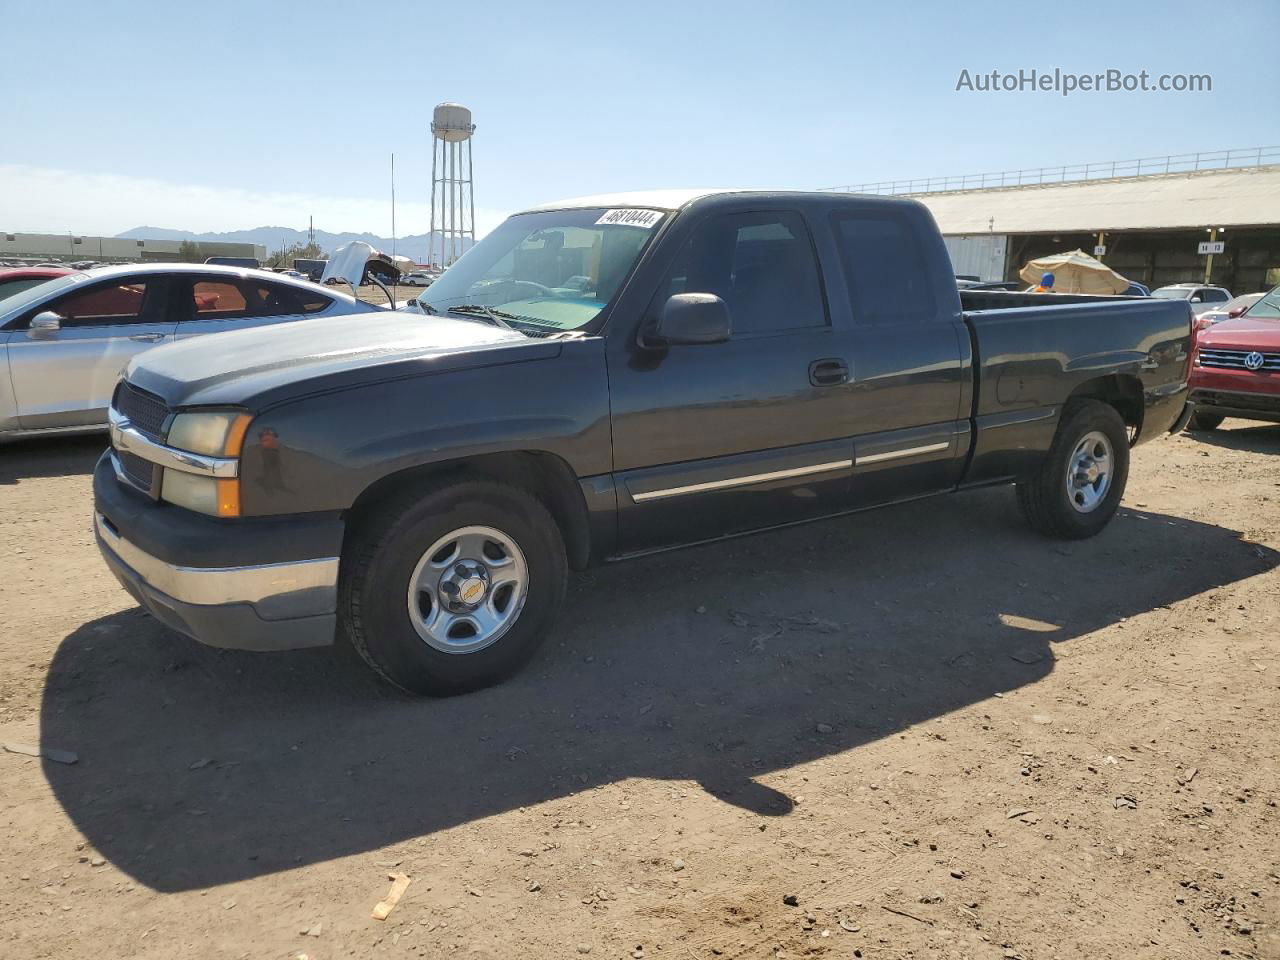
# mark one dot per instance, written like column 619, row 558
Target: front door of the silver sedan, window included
column 66, row 377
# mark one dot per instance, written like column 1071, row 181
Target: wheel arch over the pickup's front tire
column 545, row 476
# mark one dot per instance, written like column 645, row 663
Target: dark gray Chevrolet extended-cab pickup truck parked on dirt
column 595, row 381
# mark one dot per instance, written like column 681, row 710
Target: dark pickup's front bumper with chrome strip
column 281, row 605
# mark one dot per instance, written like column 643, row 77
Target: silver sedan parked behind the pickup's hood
column 65, row 342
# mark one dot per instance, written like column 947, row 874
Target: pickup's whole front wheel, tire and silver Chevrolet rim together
column 454, row 588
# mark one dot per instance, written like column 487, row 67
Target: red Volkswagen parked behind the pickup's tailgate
column 1237, row 368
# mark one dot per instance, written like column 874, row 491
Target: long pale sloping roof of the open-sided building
column 1249, row 198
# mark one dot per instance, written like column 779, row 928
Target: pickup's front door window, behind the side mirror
column 761, row 264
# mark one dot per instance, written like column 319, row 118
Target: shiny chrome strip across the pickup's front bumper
column 301, row 588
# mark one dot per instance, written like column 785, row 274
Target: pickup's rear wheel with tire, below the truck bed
column 1078, row 487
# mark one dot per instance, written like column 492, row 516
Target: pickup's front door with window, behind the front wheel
column 714, row 440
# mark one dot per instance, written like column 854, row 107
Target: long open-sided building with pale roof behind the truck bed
column 1159, row 222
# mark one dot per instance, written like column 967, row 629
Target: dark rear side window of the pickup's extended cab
column 885, row 268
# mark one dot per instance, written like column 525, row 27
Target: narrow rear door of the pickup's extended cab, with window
column 909, row 356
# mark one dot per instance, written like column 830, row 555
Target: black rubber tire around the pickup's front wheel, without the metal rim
column 373, row 602
